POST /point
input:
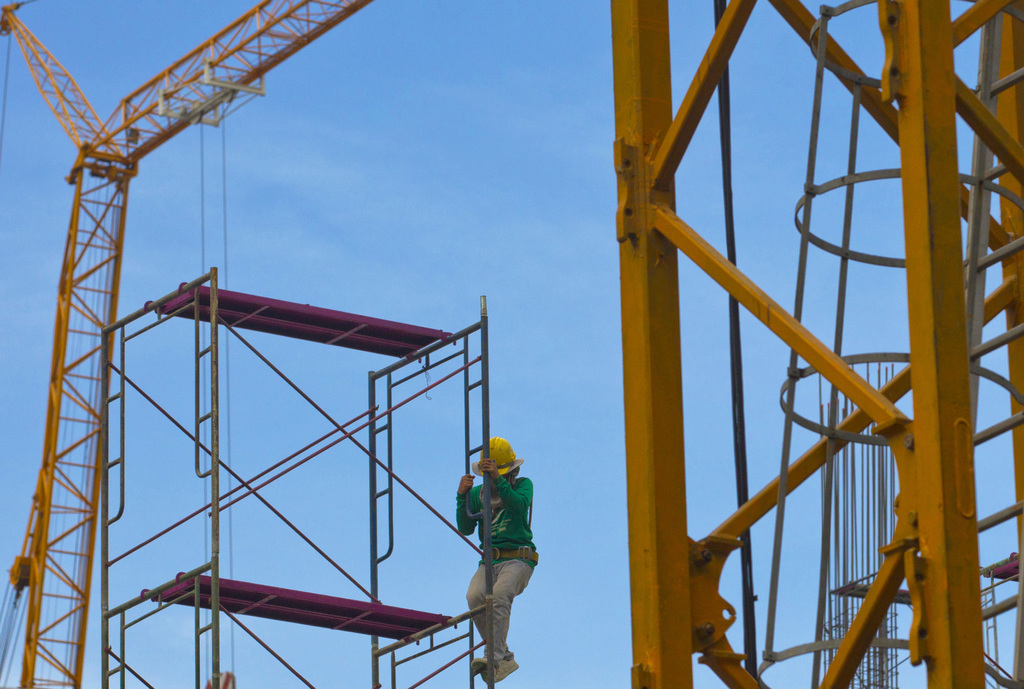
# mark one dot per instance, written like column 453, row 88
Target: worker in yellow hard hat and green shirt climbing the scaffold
column 515, row 554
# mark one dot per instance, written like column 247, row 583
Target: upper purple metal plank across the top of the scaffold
column 309, row 323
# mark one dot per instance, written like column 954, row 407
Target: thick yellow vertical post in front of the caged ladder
column 943, row 447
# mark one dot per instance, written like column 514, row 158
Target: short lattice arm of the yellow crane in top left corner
column 56, row 83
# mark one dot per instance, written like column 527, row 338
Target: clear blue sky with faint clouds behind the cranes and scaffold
column 417, row 157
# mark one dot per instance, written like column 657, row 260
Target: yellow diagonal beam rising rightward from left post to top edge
column 670, row 153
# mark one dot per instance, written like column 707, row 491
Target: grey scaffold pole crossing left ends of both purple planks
column 216, row 480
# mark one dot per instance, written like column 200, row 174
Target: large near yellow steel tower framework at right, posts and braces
column 677, row 609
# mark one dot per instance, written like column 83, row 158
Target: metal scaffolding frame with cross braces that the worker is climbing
column 201, row 586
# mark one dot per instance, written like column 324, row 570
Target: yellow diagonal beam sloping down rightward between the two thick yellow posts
column 751, row 297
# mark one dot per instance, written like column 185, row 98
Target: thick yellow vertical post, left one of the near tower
column 660, row 568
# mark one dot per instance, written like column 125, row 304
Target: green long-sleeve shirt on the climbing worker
column 509, row 525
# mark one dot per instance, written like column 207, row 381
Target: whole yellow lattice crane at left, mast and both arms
column 56, row 563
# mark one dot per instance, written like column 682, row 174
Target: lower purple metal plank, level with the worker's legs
column 307, row 609
